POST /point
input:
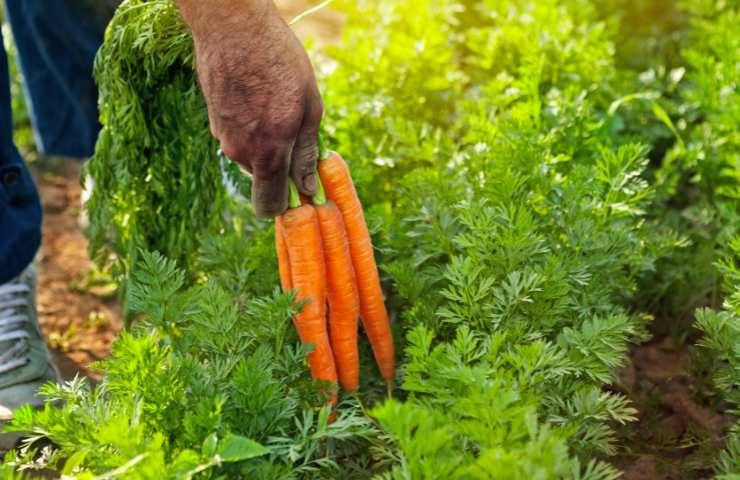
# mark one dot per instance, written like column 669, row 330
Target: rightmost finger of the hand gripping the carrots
column 306, row 148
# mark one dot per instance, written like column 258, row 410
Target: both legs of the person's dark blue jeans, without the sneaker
column 56, row 41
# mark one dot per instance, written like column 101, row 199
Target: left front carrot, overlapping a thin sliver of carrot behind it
column 306, row 258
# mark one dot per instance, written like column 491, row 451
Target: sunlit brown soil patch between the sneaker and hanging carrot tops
column 77, row 309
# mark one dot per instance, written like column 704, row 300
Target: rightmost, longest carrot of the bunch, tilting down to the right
column 338, row 186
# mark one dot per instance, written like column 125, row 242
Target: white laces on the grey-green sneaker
column 13, row 295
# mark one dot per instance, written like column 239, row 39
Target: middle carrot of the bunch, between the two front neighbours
column 344, row 303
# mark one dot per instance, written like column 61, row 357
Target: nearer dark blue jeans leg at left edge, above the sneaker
column 20, row 208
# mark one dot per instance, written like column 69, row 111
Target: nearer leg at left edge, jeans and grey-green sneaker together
column 24, row 359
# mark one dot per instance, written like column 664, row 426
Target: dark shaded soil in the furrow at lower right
column 676, row 437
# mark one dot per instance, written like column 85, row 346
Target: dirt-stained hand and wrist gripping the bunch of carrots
column 263, row 102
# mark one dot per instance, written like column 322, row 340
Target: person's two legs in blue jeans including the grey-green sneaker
column 56, row 42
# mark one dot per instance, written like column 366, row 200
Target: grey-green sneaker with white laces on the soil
column 25, row 363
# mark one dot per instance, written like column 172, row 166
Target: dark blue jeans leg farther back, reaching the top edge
column 57, row 41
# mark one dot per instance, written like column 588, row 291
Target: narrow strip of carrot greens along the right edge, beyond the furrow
column 712, row 156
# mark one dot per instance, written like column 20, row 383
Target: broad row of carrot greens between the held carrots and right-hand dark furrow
column 512, row 255
